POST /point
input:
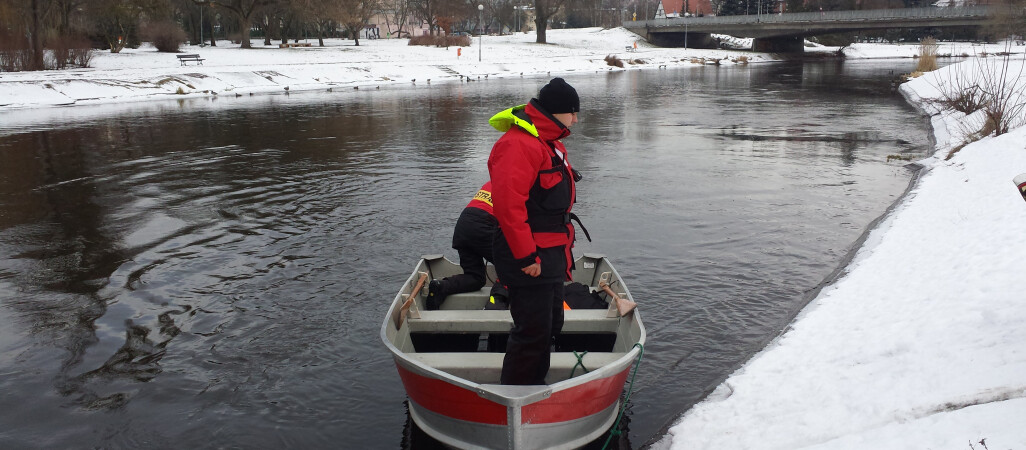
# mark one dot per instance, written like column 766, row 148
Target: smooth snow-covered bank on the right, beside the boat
column 921, row 343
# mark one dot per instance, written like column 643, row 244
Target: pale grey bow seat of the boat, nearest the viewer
column 487, row 367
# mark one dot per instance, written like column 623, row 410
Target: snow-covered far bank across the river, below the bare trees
column 145, row 74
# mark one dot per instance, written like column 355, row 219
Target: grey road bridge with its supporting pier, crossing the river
column 786, row 32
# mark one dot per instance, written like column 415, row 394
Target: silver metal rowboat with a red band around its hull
column 455, row 395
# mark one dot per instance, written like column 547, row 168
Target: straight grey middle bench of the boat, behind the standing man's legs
column 492, row 321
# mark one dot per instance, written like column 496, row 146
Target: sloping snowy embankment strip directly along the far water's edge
column 59, row 90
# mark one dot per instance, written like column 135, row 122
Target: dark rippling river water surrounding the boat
column 213, row 273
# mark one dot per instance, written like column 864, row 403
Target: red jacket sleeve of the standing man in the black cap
column 514, row 168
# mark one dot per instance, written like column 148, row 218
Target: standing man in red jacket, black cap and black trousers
column 533, row 193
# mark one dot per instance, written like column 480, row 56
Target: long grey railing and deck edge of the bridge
column 823, row 17
